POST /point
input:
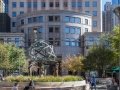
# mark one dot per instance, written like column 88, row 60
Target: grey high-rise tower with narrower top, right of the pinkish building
column 107, row 18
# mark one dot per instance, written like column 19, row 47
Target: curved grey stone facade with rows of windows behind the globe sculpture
column 61, row 28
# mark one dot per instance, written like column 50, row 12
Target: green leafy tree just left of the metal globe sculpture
column 16, row 57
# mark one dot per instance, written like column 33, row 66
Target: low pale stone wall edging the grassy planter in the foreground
column 45, row 85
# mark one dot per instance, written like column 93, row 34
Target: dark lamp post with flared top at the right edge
column 117, row 12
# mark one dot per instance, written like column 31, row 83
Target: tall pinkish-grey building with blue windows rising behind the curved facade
column 93, row 7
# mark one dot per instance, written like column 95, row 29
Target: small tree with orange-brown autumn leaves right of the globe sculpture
column 72, row 64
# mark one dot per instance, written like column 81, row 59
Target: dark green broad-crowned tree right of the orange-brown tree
column 100, row 56
